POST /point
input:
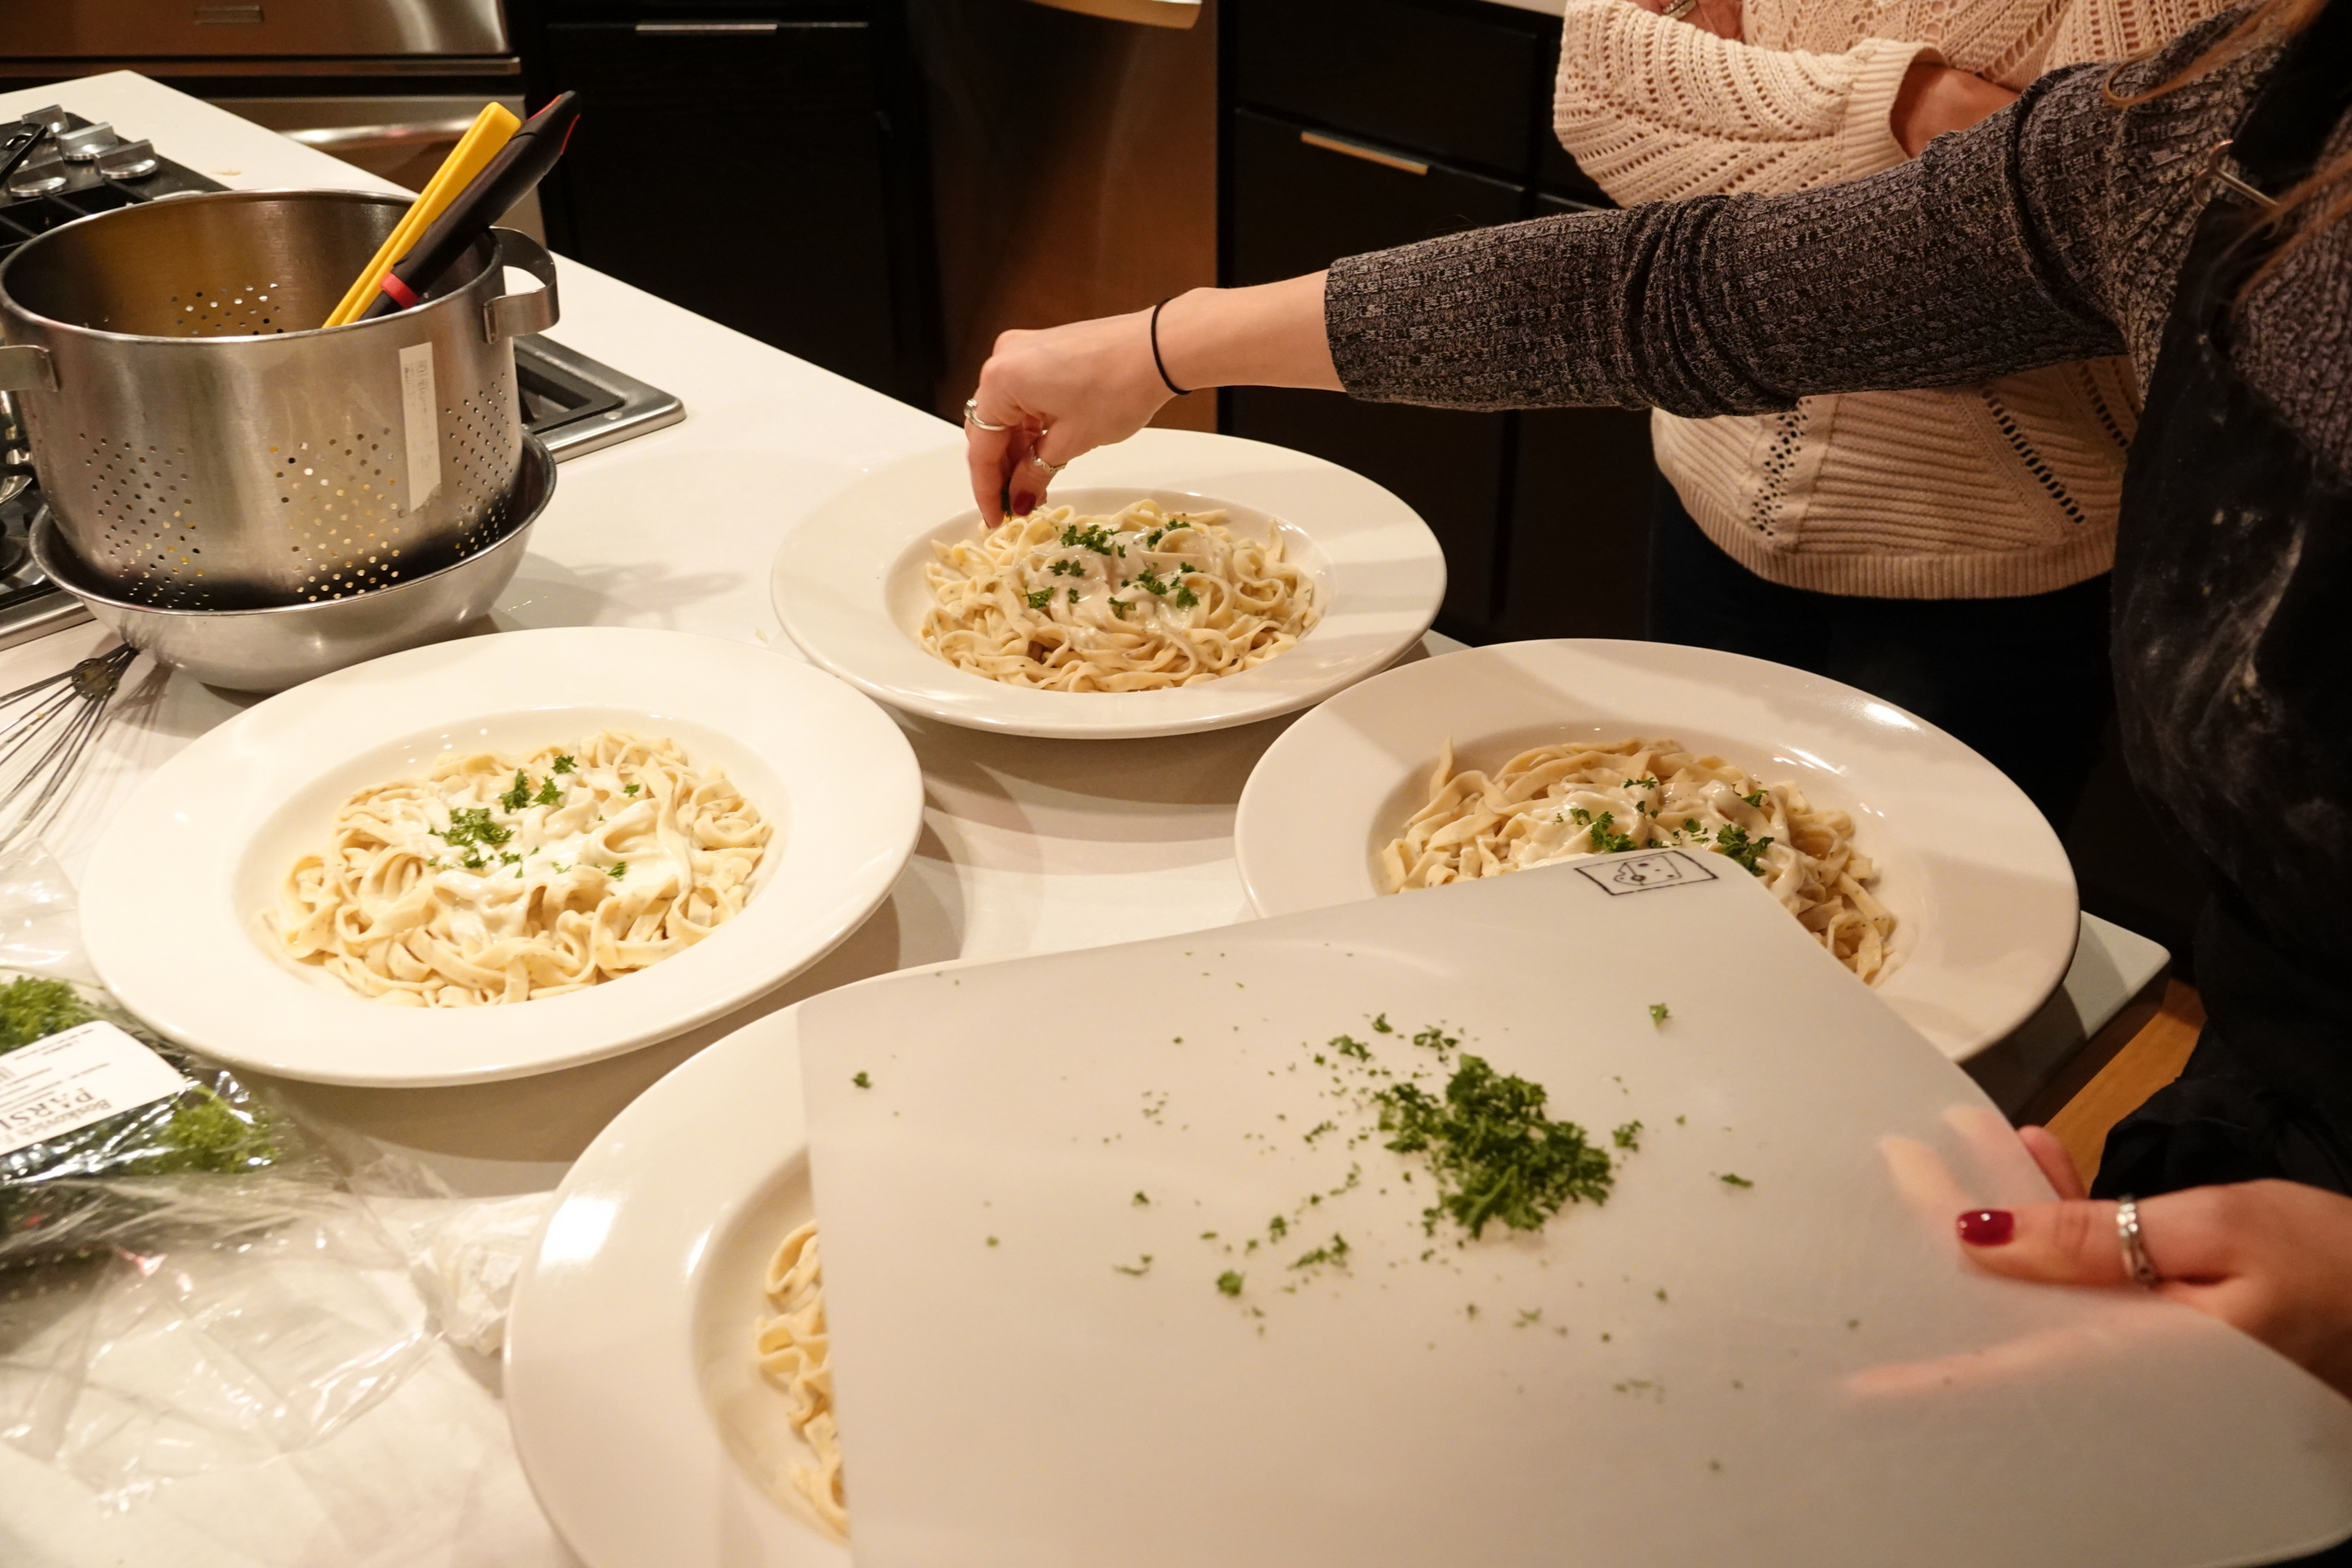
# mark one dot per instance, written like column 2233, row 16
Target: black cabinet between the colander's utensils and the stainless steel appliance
column 754, row 166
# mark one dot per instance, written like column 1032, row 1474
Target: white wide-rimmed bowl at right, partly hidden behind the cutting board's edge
column 1982, row 890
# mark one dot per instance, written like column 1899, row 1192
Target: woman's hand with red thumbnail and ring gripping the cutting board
column 2271, row 1259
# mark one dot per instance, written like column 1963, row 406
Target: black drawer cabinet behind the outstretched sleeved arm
column 1356, row 126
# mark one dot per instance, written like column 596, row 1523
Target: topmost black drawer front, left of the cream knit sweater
column 1434, row 79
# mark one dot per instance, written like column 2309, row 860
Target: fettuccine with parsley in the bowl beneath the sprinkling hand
column 1128, row 603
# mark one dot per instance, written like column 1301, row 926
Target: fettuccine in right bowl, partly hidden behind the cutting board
column 1563, row 803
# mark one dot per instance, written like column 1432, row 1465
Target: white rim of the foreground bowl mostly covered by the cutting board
column 601, row 1383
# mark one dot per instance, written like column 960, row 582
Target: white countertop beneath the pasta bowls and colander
column 1029, row 847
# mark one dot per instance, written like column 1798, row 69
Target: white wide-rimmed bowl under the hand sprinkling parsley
column 850, row 584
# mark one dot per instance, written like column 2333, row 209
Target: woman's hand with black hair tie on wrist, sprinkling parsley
column 1074, row 389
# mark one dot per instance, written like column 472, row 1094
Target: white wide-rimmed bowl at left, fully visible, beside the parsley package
column 180, row 887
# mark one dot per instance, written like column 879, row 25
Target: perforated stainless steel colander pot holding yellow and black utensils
column 203, row 445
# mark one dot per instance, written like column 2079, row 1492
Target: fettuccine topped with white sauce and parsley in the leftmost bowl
column 509, row 880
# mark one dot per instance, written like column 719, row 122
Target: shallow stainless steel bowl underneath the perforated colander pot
column 269, row 650
